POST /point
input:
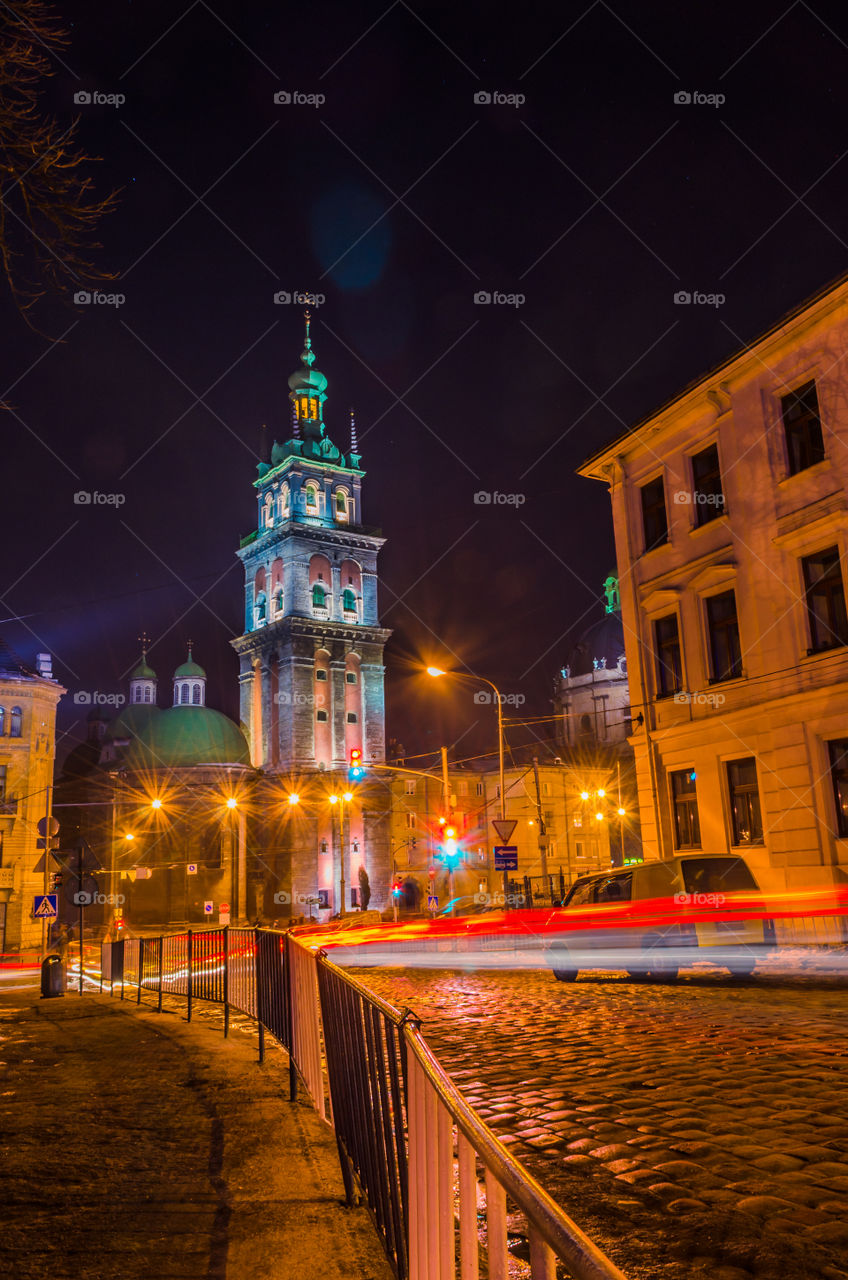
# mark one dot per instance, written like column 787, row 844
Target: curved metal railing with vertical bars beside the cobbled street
column 411, row 1146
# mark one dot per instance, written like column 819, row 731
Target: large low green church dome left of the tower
column 188, row 735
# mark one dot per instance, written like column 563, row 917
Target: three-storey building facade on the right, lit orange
column 731, row 513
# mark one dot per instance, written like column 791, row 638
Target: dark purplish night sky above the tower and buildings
column 598, row 199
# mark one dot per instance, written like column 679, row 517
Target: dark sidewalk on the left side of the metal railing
column 136, row 1146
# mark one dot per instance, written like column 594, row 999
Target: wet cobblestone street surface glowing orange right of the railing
column 699, row 1130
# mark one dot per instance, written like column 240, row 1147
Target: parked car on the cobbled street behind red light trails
column 653, row 918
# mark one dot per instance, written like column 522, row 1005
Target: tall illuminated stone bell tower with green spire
column 312, row 652
